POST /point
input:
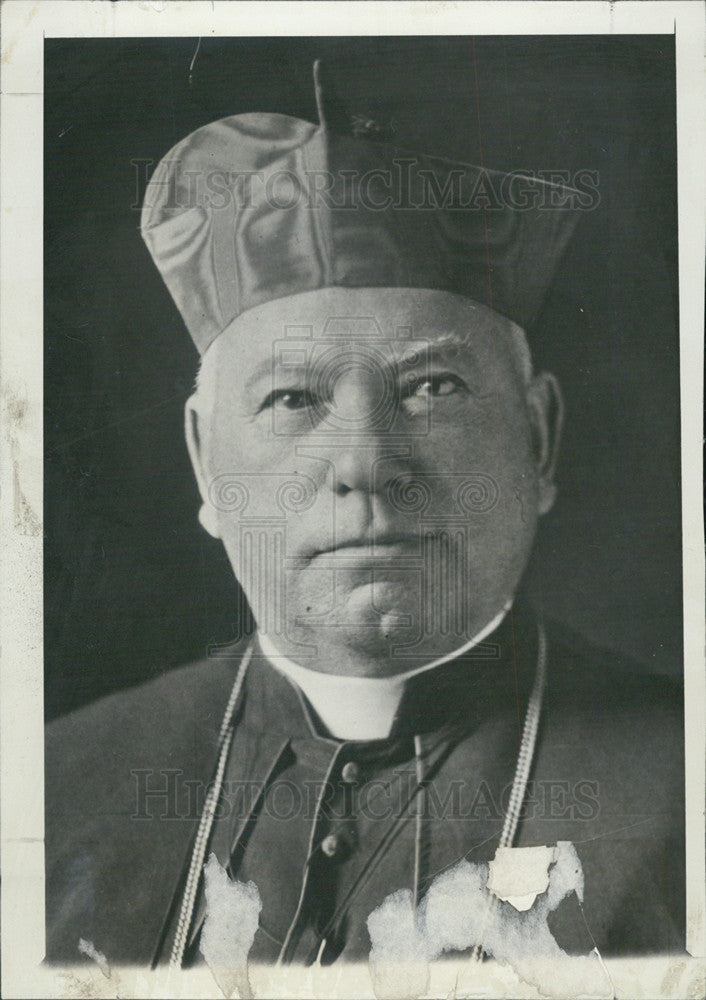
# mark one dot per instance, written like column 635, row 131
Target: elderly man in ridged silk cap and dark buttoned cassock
column 374, row 450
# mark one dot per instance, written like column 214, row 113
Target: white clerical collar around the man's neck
column 359, row 708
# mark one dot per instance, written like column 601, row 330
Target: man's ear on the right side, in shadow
column 545, row 406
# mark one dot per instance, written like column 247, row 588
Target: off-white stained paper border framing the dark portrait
column 25, row 25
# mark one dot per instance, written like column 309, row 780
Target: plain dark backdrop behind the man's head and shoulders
column 133, row 585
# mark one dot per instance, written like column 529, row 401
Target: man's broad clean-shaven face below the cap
column 375, row 465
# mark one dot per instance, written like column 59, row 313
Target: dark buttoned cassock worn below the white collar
column 327, row 829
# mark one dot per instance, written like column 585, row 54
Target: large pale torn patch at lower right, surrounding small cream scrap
column 458, row 912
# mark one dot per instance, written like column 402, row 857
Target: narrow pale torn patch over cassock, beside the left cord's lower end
column 232, row 918
